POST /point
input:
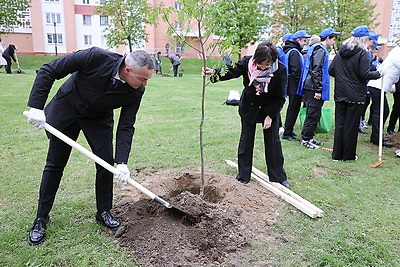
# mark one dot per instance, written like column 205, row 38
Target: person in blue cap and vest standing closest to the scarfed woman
column 294, row 64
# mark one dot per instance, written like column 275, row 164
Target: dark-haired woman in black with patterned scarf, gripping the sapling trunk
column 264, row 81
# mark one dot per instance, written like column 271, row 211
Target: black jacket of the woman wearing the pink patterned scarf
column 251, row 105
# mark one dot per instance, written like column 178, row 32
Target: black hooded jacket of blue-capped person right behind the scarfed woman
column 294, row 66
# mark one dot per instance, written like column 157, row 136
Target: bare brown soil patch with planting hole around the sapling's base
column 220, row 227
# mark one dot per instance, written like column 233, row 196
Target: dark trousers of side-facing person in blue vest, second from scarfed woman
column 313, row 114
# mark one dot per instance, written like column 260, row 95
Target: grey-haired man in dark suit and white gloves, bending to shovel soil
column 100, row 82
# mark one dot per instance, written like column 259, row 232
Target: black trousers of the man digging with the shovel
column 57, row 158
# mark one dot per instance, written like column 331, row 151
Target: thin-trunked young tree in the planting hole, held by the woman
column 236, row 28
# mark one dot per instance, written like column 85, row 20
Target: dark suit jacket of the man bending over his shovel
column 87, row 96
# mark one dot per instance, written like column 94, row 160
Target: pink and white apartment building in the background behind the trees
column 63, row 26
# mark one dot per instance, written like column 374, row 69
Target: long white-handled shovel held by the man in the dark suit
column 112, row 169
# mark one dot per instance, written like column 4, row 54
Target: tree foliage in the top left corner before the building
column 11, row 14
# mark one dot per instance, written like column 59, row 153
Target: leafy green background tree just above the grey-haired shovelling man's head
column 127, row 22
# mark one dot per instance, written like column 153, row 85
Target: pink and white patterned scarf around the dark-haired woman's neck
column 260, row 78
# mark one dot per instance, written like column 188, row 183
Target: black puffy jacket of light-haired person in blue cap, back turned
column 351, row 69
